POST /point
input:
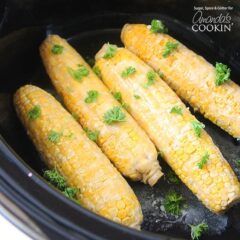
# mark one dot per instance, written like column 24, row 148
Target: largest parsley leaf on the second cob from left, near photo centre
column 114, row 115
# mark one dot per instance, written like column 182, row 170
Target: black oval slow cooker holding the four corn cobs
column 29, row 201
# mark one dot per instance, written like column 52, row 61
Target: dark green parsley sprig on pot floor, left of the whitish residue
column 173, row 203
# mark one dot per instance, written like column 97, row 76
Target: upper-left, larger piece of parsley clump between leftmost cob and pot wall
column 55, row 178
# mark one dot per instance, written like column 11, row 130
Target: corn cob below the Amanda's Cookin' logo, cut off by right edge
column 190, row 75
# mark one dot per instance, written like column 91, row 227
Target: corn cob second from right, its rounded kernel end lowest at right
column 187, row 148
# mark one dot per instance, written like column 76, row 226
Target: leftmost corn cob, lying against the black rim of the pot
column 64, row 146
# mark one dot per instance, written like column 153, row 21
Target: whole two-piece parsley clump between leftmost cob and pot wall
column 57, row 180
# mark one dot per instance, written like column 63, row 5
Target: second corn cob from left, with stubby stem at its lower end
column 124, row 143
